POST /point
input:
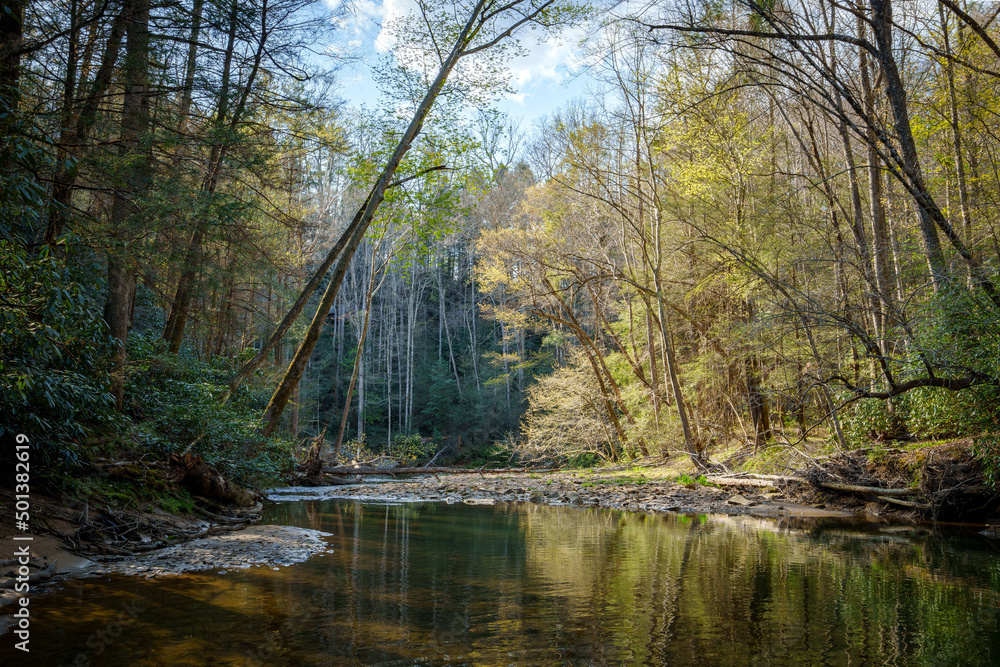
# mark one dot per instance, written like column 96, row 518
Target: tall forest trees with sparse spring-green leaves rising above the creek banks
column 766, row 222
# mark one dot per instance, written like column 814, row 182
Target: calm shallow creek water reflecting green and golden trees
column 436, row 584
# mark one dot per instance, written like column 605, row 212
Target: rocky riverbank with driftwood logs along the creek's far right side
column 919, row 482
